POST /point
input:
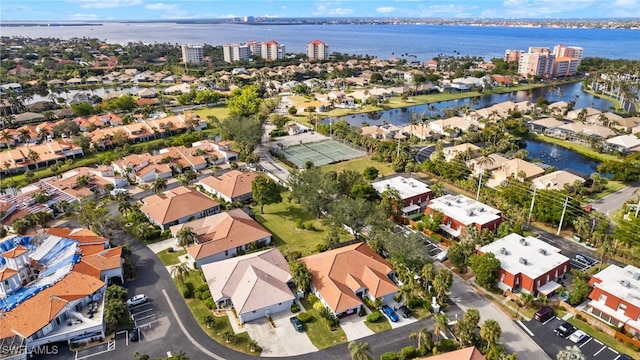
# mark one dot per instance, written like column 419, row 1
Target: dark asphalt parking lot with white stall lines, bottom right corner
column 551, row 343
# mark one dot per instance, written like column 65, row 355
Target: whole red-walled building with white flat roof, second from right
column 528, row 264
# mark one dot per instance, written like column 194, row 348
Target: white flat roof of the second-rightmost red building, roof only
column 540, row 257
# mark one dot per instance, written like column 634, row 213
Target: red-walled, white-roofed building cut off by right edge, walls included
column 615, row 297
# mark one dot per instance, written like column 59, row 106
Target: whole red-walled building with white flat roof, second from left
column 460, row 211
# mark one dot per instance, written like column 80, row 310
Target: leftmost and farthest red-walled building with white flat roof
column 414, row 193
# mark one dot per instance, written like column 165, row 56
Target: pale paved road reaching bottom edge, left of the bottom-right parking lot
column 513, row 338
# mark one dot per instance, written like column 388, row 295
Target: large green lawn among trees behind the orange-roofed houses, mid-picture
column 280, row 220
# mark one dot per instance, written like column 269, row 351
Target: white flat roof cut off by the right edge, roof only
column 621, row 282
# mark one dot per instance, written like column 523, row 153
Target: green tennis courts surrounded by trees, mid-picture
column 320, row 153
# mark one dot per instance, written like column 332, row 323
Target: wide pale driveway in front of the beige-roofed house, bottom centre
column 284, row 340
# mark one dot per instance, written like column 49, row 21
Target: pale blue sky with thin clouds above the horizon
column 48, row 10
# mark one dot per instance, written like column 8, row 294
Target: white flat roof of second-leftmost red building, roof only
column 465, row 210
